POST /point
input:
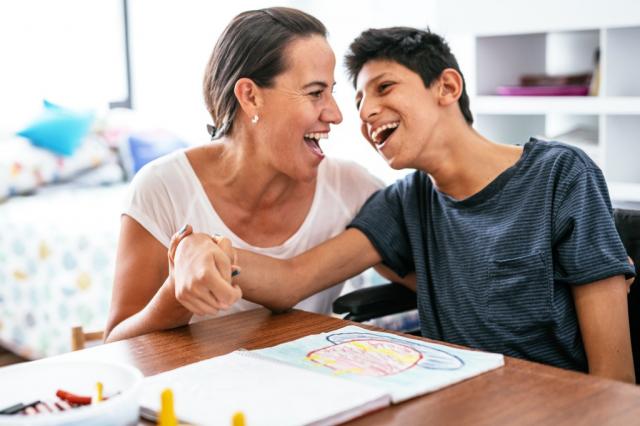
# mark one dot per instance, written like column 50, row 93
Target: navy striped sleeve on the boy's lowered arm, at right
column 586, row 244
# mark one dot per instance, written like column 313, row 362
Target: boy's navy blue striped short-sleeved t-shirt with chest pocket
column 494, row 270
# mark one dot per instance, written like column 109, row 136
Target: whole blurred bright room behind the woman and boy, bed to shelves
column 92, row 90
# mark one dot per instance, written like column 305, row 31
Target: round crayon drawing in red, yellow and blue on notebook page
column 369, row 354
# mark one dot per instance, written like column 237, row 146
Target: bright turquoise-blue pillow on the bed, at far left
column 58, row 129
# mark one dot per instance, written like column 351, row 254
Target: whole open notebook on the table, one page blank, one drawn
column 320, row 379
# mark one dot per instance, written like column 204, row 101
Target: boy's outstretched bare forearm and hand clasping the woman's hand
column 275, row 283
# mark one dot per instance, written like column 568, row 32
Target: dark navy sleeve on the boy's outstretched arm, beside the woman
column 382, row 220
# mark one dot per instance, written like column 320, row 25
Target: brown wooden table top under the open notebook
column 521, row 393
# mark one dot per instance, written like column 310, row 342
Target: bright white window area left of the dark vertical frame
column 68, row 51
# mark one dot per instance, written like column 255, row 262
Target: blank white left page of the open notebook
column 267, row 392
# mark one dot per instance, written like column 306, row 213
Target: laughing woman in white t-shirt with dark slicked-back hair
column 265, row 182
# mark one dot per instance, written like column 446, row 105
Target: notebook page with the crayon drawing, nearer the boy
column 403, row 366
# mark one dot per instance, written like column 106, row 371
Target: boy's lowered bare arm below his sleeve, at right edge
column 601, row 307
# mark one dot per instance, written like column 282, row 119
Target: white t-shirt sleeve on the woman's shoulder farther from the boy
column 149, row 204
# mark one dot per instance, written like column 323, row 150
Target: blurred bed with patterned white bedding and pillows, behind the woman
column 60, row 204
